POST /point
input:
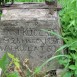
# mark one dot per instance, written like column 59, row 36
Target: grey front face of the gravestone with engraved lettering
column 26, row 39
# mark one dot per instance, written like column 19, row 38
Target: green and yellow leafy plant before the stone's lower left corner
column 6, row 63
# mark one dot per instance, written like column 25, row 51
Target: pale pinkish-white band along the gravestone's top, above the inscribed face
column 28, row 14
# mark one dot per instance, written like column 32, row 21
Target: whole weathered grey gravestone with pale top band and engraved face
column 21, row 34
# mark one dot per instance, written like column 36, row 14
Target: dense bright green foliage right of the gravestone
column 68, row 18
